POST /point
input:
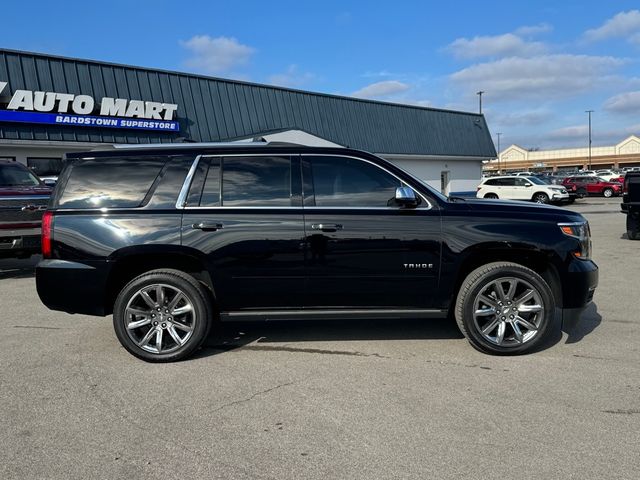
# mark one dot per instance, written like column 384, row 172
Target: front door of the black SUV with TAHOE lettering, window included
column 362, row 250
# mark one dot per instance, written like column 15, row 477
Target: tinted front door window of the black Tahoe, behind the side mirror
column 348, row 182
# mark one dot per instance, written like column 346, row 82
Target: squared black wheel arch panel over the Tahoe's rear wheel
column 128, row 263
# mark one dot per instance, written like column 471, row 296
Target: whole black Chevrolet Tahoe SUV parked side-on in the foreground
column 172, row 238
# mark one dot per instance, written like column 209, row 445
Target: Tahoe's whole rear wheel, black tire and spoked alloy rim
column 162, row 316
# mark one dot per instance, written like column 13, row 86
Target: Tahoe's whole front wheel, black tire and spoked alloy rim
column 504, row 308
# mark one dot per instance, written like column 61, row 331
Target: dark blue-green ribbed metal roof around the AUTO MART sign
column 213, row 109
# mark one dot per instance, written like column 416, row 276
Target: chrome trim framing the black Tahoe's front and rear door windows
column 182, row 197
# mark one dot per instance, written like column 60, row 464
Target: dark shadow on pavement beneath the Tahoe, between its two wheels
column 265, row 335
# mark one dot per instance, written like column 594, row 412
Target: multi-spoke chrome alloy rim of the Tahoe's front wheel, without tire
column 508, row 312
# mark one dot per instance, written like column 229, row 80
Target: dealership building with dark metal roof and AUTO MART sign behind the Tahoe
column 51, row 104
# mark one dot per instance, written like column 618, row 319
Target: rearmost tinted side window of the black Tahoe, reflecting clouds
column 110, row 182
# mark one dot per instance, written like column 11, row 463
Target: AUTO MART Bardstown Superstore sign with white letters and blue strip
column 52, row 108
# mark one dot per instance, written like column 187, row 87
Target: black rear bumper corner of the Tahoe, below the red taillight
column 54, row 279
